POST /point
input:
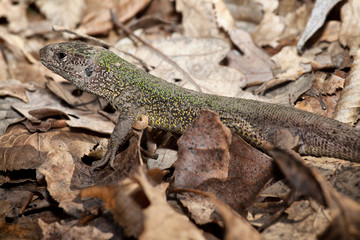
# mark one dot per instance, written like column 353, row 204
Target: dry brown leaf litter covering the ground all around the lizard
column 292, row 52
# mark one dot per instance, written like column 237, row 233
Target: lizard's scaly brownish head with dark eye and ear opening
column 76, row 62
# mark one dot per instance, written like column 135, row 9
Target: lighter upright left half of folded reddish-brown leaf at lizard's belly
column 203, row 152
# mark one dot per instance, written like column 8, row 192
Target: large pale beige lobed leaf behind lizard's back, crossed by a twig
column 200, row 58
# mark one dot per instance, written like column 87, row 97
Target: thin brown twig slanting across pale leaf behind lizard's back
column 157, row 51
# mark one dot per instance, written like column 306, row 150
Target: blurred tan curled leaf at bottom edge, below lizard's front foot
column 140, row 206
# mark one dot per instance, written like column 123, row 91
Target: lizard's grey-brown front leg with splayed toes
column 118, row 137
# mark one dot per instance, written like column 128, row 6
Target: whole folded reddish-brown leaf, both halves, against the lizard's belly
column 236, row 176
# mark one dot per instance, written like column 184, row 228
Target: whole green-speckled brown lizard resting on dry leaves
column 134, row 92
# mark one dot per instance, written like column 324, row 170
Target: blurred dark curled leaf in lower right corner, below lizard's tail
column 345, row 211
